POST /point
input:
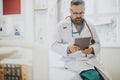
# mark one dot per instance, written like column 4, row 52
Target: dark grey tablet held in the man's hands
column 82, row 42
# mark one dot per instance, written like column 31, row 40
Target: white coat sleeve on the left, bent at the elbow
column 58, row 45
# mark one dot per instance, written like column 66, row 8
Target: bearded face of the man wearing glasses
column 77, row 13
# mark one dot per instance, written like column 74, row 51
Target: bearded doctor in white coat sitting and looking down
column 83, row 62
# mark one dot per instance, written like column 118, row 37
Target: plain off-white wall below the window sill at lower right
column 110, row 58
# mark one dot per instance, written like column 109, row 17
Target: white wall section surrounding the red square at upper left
column 24, row 21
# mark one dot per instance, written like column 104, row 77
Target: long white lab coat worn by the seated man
column 77, row 62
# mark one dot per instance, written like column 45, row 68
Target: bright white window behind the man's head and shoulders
column 104, row 15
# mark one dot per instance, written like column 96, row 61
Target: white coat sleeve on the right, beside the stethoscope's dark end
column 97, row 45
